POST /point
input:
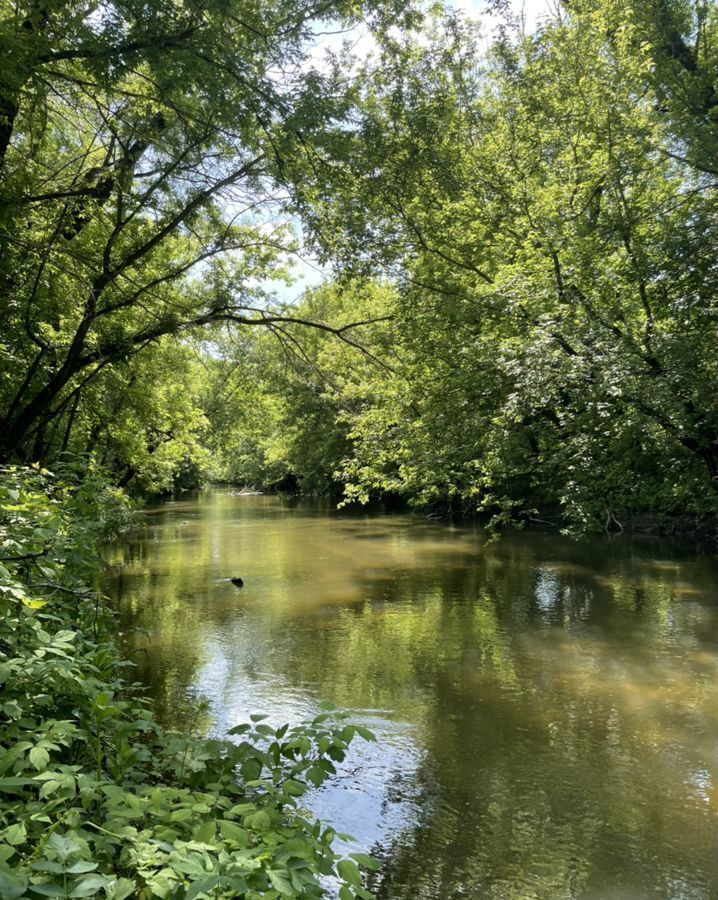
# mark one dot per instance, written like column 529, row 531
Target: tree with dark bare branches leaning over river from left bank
column 142, row 149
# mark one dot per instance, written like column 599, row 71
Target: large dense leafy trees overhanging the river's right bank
column 549, row 211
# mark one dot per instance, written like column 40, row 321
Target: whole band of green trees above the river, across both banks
column 537, row 216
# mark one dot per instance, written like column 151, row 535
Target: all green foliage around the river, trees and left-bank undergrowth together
column 523, row 322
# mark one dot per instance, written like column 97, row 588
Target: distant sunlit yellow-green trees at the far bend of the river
column 282, row 404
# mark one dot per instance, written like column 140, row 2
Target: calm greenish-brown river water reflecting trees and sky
column 546, row 709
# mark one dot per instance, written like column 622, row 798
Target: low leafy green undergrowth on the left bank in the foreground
column 95, row 799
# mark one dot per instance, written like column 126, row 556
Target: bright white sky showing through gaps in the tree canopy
column 307, row 272
